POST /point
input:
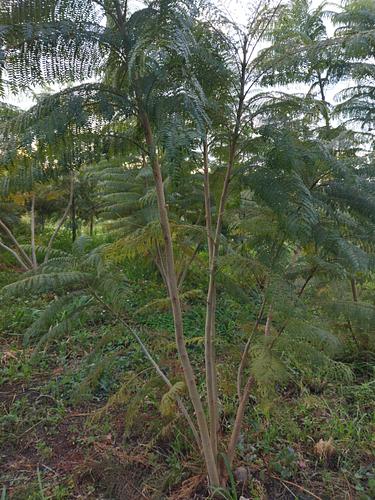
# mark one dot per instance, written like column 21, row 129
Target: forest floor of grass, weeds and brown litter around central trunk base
column 54, row 446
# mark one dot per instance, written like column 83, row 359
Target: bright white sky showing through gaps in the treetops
column 238, row 10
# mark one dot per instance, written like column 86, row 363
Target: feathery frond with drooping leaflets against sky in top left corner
column 49, row 51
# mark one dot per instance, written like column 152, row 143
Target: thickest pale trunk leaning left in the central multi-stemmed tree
column 176, row 306
